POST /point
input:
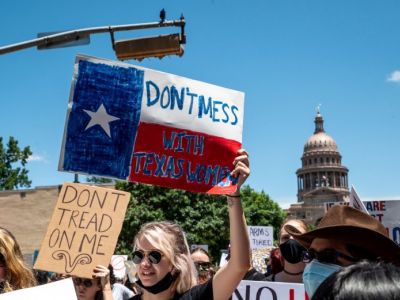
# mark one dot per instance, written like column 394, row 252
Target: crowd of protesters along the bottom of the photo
column 347, row 256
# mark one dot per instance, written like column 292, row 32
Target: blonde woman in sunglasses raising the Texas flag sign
column 165, row 268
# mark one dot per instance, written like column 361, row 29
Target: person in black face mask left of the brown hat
column 291, row 253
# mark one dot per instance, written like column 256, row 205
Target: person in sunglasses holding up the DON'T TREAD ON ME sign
column 97, row 288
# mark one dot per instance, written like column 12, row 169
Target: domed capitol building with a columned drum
column 321, row 178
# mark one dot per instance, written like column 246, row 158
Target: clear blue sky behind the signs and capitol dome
column 287, row 56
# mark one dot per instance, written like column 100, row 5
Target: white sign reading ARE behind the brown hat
column 388, row 213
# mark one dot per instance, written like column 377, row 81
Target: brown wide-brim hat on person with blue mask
column 353, row 227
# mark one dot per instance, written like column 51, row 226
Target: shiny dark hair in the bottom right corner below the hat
column 365, row 280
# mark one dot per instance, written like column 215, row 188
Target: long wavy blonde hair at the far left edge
column 18, row 275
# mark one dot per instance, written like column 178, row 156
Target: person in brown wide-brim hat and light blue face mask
column 343, row 237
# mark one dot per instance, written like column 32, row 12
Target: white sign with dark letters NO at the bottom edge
column 265, row 290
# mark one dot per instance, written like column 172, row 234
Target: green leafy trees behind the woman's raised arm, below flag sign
column 204, row 218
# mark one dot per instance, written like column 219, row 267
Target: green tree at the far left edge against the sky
column 13, row 159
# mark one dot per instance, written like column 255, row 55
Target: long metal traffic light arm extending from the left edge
column 73, row 35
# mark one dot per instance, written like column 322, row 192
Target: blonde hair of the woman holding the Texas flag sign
column 169, row 238
